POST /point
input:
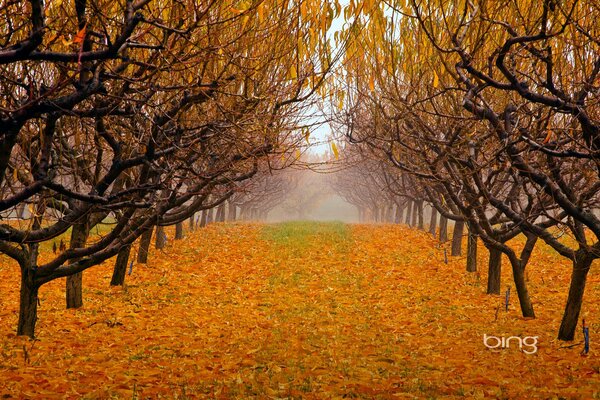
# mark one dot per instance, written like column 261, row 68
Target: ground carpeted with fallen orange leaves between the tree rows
column 299, row 310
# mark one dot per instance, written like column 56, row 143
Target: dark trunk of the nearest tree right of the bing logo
column 581, row 267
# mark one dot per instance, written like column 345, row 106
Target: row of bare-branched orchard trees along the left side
column 137, row 114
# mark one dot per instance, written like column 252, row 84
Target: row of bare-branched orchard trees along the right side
column 488, row 112
